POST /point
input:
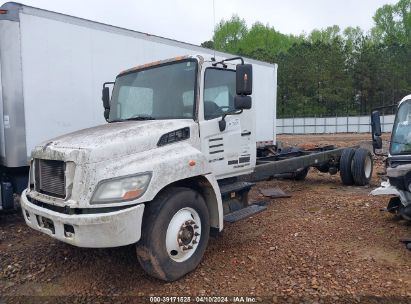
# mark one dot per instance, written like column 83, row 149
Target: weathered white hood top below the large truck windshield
column 110, row 140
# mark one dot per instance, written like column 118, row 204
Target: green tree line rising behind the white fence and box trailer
column 330, row 71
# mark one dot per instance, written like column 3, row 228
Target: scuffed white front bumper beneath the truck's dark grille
column 99, row 230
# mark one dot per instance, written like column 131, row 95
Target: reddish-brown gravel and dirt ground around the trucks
column 327, row 243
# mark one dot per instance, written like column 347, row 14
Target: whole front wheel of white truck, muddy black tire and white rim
column 175, row 234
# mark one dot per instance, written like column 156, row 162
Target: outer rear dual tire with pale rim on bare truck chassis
column 362, row 165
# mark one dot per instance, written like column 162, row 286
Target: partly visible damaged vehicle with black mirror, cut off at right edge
column 398, row 161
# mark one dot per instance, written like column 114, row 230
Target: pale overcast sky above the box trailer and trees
column 192, row 21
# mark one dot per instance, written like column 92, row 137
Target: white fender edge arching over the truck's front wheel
column 202, row 186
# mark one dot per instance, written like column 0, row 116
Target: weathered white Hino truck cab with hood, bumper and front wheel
column 178, row 131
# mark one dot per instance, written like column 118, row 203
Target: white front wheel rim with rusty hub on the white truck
column 183, row 234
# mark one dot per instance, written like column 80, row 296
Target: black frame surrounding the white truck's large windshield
column 154, row 66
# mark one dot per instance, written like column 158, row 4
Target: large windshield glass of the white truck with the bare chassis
column 160, row 92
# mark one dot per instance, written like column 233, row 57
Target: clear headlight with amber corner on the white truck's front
column 121, row 189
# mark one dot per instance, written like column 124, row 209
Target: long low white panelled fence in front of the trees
column 320, row 125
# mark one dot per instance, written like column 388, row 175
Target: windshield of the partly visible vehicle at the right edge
column 401, row 131
